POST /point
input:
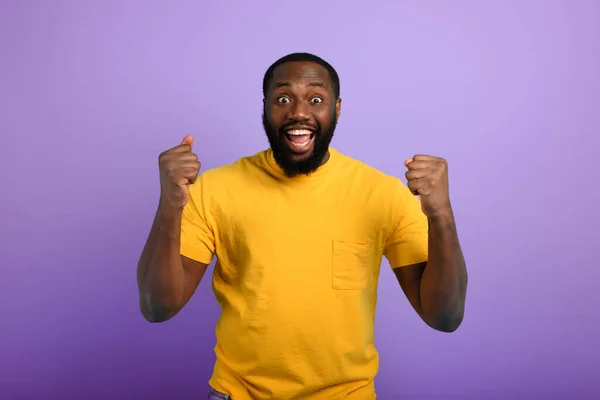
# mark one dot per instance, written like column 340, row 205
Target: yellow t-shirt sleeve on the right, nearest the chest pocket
column 408, row 240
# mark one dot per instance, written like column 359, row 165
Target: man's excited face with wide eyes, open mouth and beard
column 300, row 115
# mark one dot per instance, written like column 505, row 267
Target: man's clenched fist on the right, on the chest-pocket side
column 427, row 176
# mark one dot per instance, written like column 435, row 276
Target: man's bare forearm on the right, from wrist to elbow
column 444, row 281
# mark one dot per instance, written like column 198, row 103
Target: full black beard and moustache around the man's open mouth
column 292, row 168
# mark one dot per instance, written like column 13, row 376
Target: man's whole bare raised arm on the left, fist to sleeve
column 167, row 280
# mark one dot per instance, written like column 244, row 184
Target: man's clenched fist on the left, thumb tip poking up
column 179, row 168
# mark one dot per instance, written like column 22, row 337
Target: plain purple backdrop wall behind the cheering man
column 92, row 91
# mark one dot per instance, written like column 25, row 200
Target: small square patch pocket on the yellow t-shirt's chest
column 350, row 265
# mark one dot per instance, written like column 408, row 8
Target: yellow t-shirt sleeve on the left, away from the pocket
column 197, row 237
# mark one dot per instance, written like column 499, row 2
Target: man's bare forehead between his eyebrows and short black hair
column 300, row 74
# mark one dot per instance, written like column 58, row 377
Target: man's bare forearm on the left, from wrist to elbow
column 161, row 276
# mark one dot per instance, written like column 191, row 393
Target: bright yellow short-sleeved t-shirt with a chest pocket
column 298, row 263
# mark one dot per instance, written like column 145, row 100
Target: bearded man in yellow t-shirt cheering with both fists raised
column 299, row 232
